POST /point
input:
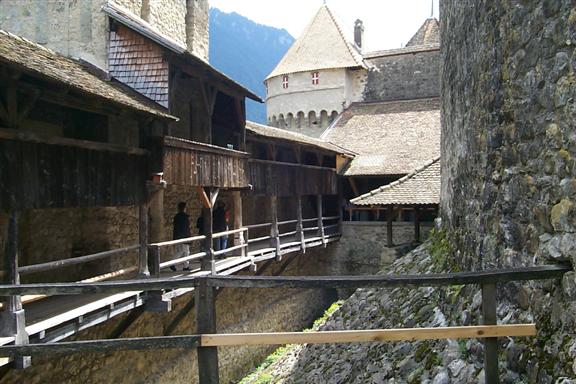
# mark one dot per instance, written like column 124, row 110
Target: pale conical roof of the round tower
column 322, row 45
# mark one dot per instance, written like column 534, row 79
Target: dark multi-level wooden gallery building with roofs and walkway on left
column 93, row 165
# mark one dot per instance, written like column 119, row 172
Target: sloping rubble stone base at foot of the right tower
column 546, row 359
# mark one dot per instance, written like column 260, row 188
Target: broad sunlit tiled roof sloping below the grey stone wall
column 390, row 138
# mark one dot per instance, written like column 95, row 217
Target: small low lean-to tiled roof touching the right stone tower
column 420, row 187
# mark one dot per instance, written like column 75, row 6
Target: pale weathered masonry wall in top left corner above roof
column 73, row 28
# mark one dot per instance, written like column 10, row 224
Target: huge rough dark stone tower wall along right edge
column 508, row 161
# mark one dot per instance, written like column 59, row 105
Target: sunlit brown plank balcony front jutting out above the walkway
column 198, row 164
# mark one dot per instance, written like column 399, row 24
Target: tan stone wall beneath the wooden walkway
column 238, row 310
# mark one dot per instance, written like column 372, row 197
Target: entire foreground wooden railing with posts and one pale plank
column 207, row 342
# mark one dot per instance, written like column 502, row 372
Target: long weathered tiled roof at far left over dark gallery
column 41, row 62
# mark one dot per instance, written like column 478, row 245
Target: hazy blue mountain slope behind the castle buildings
column 247, row 52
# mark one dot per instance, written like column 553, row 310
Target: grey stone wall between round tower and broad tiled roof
column 406, row 76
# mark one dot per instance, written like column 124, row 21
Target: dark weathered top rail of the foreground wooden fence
column 541, row 272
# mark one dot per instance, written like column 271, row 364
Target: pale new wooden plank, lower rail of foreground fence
column 376, row 335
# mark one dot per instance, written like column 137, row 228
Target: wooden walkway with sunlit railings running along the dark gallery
column 50, row 319
